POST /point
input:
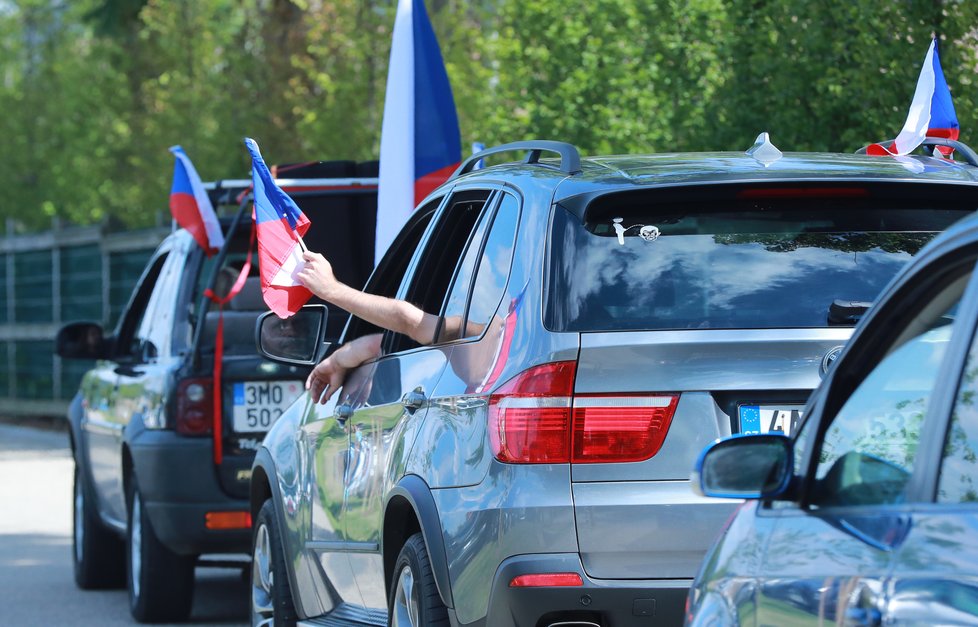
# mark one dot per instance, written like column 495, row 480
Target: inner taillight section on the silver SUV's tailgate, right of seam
column 621, row 428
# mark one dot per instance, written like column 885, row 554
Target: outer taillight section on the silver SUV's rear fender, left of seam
column 530, row 415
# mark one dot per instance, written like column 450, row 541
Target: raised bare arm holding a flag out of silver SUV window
column 397, row 315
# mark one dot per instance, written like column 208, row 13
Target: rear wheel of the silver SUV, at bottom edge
column 414, row 598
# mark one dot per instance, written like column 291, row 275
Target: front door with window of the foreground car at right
column 828, row 559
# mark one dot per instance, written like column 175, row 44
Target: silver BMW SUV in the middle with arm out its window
column 620, row 314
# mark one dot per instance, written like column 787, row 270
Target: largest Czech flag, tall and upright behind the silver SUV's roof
column 420, row 144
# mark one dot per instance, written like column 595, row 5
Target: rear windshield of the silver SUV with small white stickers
column 730, row 264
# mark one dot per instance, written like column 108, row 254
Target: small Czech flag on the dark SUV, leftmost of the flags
column 190, row 205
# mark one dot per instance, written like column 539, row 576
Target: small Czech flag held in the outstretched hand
column 280, row 225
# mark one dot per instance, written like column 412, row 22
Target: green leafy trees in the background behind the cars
column 95, row 91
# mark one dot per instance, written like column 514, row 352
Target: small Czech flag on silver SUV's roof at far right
column 931, row 111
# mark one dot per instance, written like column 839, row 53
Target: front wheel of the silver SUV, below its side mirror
column 271, row 594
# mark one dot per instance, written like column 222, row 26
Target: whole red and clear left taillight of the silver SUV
column 535, row 418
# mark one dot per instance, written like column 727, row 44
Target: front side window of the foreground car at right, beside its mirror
column 867, row 453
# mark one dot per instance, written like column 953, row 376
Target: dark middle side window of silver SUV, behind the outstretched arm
column 441, row 257
